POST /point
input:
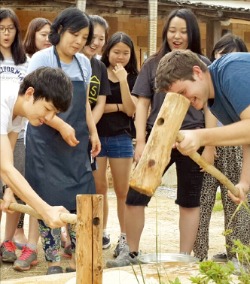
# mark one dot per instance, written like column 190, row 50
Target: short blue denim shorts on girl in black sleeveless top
column 119, row 146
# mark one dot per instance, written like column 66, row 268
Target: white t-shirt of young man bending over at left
column 8, row 95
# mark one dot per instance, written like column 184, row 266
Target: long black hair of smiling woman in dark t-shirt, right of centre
column 193, row 32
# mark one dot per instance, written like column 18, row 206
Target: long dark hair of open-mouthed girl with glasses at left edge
column 17, row 49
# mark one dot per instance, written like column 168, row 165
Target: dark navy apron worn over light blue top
column 55, row 170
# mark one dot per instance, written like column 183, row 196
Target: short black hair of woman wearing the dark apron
column 72, row 20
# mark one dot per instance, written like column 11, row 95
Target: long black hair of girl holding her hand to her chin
column 131, row 67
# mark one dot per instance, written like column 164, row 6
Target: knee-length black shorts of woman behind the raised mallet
column 189, row 183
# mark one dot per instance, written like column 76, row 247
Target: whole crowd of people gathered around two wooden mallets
column 88, row 98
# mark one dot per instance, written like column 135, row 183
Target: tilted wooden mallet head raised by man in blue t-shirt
column 156, row 155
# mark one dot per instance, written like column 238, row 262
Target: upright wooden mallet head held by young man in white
column 89, row 239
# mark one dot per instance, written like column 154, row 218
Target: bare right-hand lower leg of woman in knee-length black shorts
column 188, row 226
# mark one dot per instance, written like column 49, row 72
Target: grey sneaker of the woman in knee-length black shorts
column 123, row 259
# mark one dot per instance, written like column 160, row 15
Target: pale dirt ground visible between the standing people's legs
column 161, row 208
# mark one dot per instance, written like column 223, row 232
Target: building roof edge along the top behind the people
column 205, row 10
